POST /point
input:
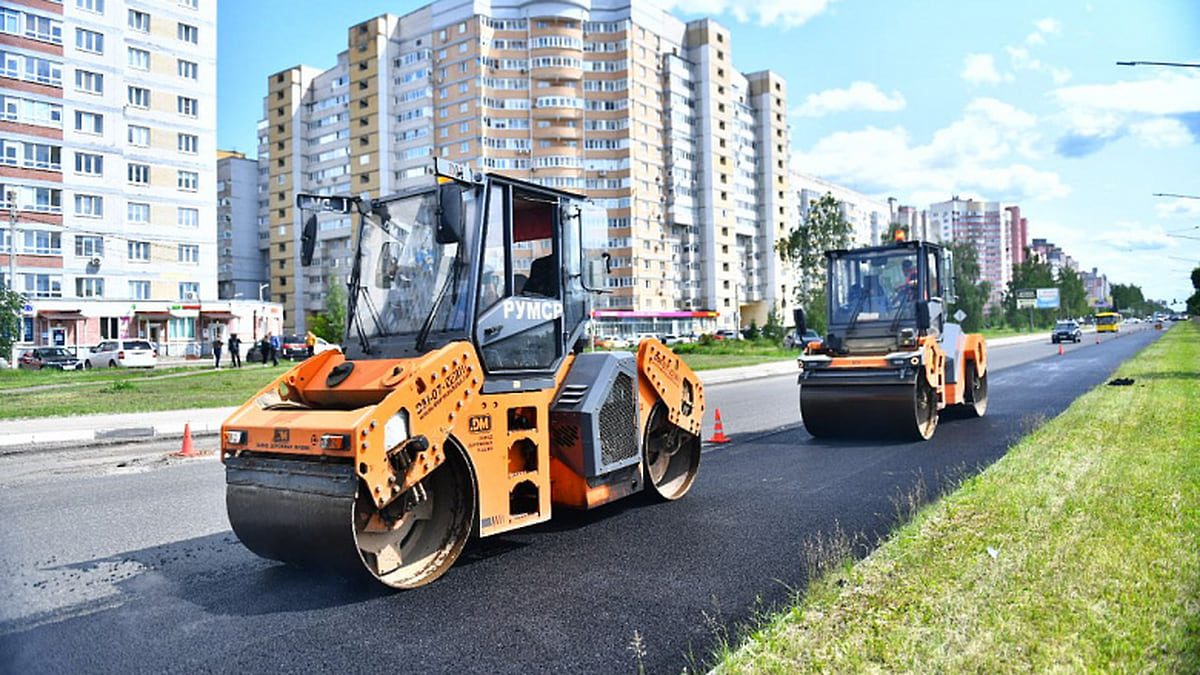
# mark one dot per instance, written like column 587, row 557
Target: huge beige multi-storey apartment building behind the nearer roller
column 615, row 99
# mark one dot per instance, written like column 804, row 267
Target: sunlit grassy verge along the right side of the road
column 1079, row 552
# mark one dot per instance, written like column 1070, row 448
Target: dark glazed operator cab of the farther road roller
column 883, row 298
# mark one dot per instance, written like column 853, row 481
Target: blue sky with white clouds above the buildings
column 1016, row 101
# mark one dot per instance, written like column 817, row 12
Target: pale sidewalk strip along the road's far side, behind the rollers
column 22, row 435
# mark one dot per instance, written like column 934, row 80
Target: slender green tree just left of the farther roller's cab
column 803, row 249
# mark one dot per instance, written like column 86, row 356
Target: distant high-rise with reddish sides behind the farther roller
column 987, row 226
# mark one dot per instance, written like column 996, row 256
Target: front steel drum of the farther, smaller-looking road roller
column 904, row 410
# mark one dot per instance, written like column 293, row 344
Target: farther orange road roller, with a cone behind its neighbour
column 892, row 361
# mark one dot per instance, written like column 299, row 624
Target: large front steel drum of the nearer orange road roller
column 319, row 516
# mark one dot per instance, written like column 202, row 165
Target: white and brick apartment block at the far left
column 107, row 168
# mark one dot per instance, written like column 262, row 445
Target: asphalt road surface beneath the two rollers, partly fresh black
column 125, row 563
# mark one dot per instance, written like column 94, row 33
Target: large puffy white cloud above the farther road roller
column 983, row 153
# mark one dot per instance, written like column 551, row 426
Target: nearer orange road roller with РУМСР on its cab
column 463, row 403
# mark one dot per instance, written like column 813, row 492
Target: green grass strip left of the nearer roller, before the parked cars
column 141, row 391
